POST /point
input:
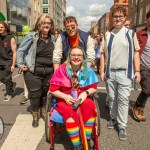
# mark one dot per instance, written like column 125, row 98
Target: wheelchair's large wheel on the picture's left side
column 47, row 119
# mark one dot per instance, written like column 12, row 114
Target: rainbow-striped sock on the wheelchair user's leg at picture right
column 88, row 127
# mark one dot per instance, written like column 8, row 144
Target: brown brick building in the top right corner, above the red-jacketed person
column 137, row 13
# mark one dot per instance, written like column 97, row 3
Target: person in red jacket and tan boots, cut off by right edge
column 144, row 42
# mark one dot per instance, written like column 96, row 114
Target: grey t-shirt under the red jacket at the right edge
column 145, row 57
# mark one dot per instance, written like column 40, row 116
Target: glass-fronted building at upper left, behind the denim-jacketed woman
column 17, row 13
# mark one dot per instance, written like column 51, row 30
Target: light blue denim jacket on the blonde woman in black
column 26, row 53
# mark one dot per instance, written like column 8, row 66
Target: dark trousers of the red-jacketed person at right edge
column 145, row 85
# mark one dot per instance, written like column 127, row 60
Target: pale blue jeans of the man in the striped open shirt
column 119, row 89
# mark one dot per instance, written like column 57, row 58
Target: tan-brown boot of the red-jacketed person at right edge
column 138, row 113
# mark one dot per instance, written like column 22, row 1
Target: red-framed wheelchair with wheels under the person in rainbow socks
column 56, row 124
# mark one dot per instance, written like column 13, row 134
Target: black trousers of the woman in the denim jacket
column 38, row 85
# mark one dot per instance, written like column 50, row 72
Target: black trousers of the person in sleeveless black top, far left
column 6, row 78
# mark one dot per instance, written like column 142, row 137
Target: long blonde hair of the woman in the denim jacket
column 39, row 22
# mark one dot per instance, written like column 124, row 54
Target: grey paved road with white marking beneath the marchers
column 19, row 134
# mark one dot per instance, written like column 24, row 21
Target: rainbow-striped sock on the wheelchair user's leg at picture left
column 73, row 131
